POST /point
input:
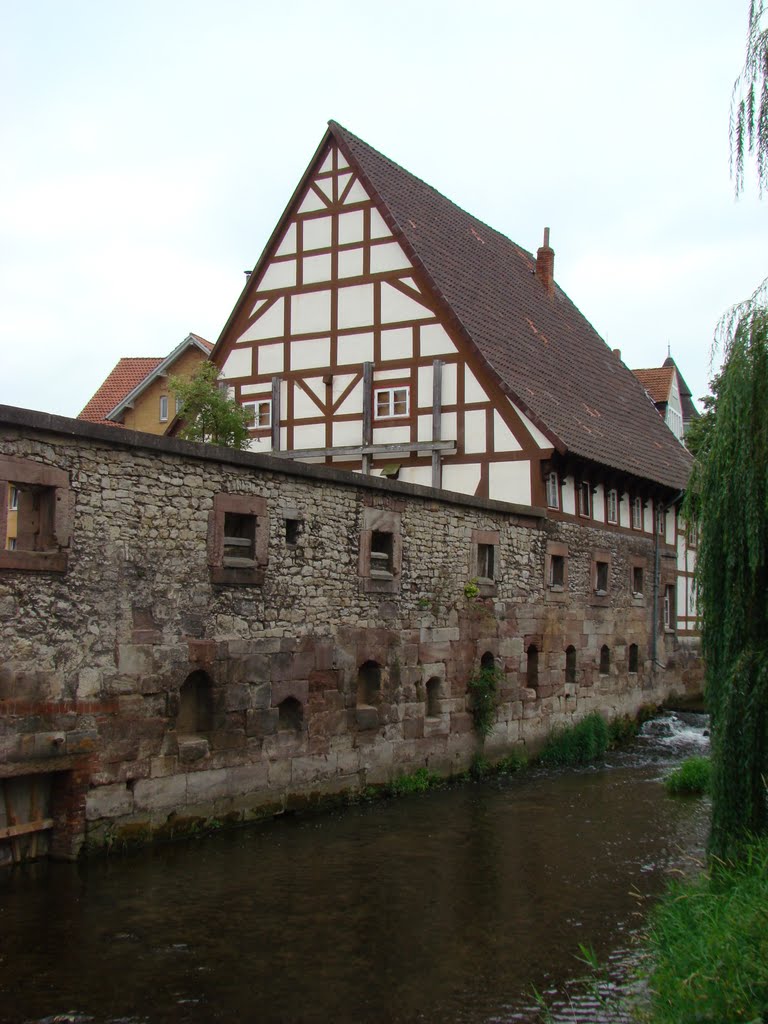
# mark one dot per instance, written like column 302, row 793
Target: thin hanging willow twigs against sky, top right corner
column 749, row 124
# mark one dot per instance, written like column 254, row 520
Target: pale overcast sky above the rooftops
column 148, row 150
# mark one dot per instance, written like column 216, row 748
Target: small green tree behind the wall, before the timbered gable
column 208, row 415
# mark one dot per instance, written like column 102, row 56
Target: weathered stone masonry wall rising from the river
column 96, row 662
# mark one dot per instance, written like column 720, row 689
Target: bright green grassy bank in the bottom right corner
column 708, row 947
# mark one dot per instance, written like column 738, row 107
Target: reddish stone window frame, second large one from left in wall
column 251, row 575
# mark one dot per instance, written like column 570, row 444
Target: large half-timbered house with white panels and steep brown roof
column 387, row 331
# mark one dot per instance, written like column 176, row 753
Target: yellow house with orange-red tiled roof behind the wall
column 137, row 395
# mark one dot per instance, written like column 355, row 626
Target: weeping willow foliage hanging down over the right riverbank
column 729, row 500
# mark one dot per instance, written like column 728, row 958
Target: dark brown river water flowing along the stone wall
column 452, row 907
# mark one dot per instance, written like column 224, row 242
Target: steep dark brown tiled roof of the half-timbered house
column 543, row 351
